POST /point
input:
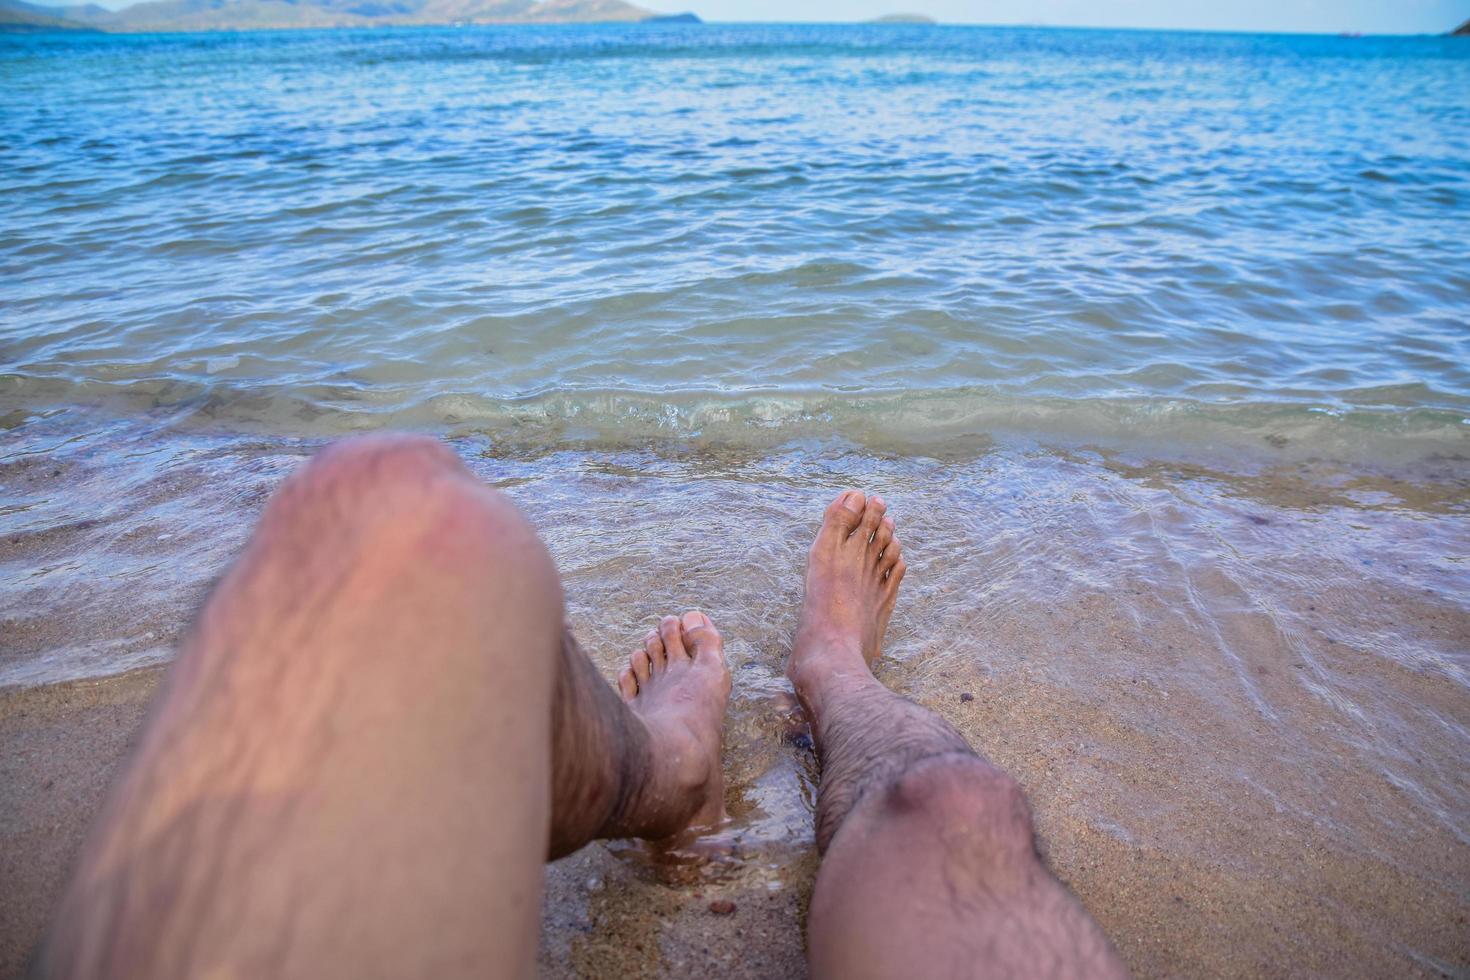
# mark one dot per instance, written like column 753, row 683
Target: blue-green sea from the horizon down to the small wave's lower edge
column 746, row 233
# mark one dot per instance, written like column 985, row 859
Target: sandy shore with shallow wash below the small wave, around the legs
column 1237, row 702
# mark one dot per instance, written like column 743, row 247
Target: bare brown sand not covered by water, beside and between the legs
column 1211, row 896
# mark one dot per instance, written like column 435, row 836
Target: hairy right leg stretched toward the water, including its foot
column 930, row 865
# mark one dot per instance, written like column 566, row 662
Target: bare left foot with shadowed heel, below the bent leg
column 678, row 685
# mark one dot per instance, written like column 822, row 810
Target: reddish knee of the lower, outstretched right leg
column 965, row 801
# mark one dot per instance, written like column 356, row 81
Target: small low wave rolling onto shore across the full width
column 937, row 422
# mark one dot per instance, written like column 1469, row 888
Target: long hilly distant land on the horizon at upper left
column 252, row 15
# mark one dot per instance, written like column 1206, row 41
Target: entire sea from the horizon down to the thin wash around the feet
column 1158, row 343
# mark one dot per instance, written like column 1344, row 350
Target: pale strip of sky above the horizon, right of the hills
column 1325, row 17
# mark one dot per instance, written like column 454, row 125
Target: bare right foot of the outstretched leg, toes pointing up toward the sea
column 853, row 575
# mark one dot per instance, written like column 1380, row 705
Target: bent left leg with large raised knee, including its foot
column 371, row 740
